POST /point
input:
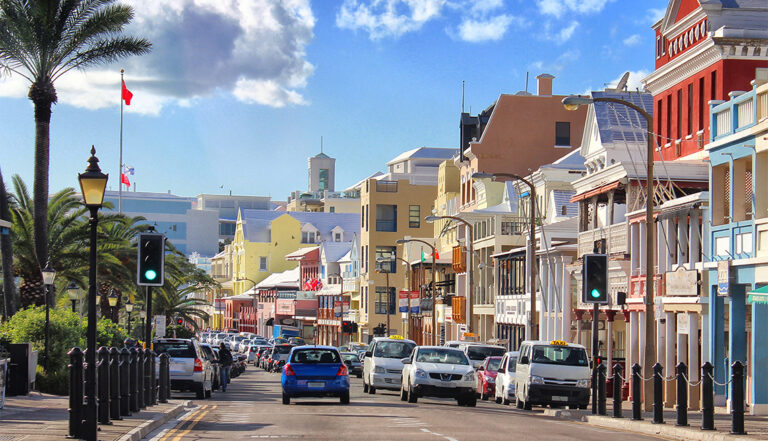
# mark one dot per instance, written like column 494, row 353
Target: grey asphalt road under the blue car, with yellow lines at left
column 251, row 409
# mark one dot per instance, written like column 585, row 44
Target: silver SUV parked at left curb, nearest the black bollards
column 189, row 367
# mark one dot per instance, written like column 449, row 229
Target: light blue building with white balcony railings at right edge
column 737, row 316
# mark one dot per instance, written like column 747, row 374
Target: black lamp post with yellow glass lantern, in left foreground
column 93, row 184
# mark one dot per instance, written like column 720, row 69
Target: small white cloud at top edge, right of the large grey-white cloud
column 387, row 18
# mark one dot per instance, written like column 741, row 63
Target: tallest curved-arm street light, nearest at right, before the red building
column 572, row 103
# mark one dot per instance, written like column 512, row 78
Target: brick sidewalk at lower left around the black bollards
column 46, row 417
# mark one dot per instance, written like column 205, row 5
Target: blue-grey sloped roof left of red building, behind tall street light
column 617, row 122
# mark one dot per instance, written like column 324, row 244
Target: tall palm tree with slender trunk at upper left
column 41, row 40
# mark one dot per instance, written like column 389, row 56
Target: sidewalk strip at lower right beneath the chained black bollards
column 755, row 426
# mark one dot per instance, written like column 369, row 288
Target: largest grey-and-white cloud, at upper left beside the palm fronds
column 254, row 49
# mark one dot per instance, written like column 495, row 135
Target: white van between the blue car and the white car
column 382, row 365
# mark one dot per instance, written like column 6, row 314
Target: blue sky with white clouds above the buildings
column 236, row 94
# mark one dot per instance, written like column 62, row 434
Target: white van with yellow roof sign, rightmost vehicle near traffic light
column 554, row 373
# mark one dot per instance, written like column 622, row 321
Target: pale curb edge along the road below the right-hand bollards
column 666, row 430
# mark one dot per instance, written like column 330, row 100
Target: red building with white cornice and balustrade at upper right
column 704, row 51
